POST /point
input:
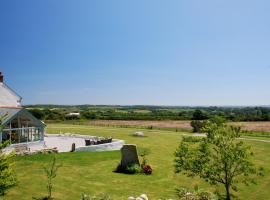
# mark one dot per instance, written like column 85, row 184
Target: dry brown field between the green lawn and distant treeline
column 177, row 124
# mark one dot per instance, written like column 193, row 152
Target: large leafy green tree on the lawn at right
column 218, row 158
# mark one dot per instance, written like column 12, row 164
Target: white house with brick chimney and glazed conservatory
column 19, row 125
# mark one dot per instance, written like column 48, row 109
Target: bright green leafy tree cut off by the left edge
column 7, row 174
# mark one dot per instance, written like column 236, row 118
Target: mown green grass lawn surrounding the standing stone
column 93, row 172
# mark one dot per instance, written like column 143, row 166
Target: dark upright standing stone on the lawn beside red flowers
column 129, row 155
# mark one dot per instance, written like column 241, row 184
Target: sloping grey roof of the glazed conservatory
column 10, row 113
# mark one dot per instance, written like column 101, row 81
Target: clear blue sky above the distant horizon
column 154, row 52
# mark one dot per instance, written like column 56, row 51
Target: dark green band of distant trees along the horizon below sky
column 88, row 112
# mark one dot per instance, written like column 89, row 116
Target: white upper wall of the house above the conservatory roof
column 9, row 98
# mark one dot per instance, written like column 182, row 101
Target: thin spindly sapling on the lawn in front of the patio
column 51, row 172
